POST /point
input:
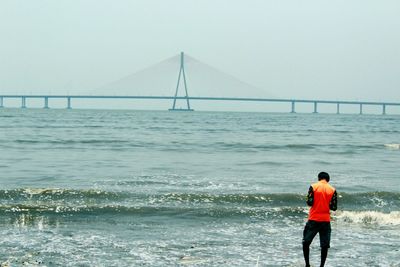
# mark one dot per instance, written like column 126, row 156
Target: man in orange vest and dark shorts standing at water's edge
column 322, row 198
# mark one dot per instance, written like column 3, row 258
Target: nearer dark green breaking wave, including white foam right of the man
column 289, row 215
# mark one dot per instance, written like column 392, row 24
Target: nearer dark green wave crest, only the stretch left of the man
column 182, row 211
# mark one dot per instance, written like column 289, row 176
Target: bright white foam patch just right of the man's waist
column 368, row 217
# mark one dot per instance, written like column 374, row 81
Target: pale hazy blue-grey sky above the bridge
column 341, row 49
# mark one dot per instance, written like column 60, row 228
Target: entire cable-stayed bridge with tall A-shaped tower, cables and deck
column 182, row 81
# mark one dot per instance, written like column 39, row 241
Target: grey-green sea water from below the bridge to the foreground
column 159, row 188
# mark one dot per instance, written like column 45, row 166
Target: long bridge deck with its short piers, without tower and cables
column 293, row 102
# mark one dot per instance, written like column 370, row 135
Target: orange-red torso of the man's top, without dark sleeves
column 320, row 210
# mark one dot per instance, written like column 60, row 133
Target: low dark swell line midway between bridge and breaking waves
column 334, row 148
